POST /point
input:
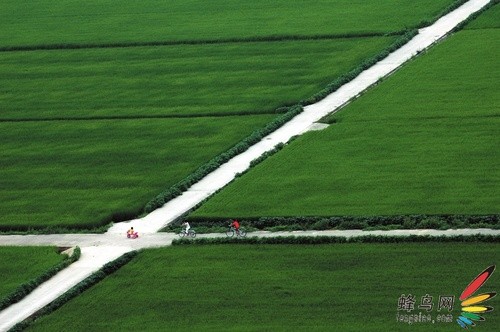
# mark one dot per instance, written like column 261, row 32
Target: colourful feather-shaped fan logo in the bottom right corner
column 472, row 306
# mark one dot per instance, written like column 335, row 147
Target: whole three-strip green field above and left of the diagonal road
column 95, row 96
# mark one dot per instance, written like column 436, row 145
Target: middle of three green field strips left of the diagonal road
column 185, row 80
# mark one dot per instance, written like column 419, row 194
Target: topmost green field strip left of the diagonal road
column 24, row 22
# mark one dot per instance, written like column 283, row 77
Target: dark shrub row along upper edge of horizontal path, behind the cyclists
column 354, row 222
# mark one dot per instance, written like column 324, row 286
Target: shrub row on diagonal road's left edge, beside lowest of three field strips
column 216, row 162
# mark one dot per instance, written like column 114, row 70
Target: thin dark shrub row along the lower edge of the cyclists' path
column 338, row 239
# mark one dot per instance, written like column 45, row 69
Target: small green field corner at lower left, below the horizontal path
column 22, row 264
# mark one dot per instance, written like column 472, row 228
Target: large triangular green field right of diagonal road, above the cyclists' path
column 425, row 141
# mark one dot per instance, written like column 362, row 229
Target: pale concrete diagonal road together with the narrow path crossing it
column 97, row 250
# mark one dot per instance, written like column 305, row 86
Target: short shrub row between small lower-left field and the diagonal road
column 26, row 288
